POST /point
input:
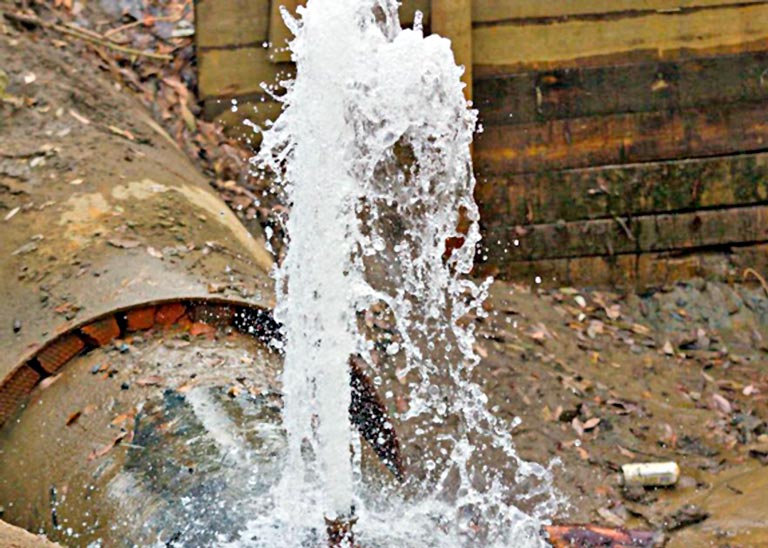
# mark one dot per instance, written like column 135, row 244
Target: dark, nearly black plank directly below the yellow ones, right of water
column 640, row 87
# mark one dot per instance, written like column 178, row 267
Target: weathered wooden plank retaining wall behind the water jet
column 624, row 141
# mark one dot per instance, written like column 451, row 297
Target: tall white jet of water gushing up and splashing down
column 373, row 152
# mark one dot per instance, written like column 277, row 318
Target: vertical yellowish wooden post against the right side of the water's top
column 453, row 20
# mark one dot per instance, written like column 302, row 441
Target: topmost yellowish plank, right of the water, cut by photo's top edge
column 485, row 11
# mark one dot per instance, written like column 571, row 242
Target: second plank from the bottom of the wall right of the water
column 643, row 234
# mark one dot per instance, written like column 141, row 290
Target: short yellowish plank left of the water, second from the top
column 229, row 73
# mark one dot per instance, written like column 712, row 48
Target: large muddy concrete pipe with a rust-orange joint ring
column 139, row 393
